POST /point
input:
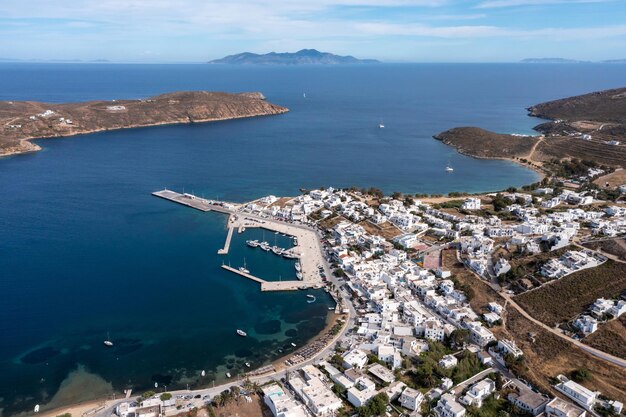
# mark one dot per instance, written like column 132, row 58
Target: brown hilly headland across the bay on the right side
column 588, row 127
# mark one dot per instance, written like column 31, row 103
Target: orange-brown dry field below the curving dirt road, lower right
column 548, row 355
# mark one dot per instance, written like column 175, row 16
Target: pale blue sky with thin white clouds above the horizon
column 173, row 31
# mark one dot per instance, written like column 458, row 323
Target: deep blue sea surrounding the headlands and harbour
column 87, row 253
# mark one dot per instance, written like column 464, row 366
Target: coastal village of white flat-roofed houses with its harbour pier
column 423, row 287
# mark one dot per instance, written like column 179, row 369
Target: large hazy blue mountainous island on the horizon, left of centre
column 302, row 57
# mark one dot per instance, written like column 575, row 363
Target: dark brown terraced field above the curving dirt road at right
column 564, row 299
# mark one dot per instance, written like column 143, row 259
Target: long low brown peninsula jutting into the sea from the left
column 21, row 121
